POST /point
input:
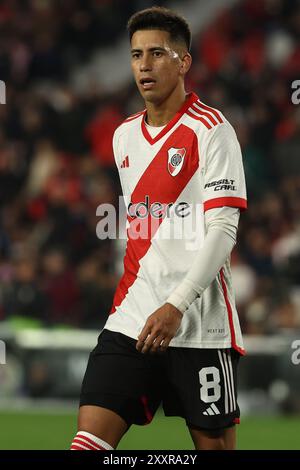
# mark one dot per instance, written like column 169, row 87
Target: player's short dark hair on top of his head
column 163, row 19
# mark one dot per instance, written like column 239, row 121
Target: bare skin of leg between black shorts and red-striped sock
column 103, row 423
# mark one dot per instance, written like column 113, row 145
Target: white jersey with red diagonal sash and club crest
column 194, row 164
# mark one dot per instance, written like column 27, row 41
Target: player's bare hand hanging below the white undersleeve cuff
column 159, row 329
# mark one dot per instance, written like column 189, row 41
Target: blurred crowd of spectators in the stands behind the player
column 57, row 166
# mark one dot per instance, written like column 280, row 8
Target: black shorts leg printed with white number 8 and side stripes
column 204, row 383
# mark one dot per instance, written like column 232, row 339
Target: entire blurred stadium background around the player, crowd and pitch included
column 66, row 70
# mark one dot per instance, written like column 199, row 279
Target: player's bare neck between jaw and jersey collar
column 162, row 113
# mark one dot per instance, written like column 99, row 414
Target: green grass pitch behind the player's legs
column 50, row 430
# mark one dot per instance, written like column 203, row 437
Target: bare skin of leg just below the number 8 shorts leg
column 221, row 439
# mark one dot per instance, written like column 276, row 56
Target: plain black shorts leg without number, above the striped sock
column 120, row 379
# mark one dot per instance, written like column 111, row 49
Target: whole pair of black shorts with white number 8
column 197, row 384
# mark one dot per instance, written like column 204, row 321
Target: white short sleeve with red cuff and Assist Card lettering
column 224, row 178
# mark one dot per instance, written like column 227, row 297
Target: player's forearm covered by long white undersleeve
column 217, row 246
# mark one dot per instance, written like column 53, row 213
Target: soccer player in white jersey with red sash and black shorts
column 173, row 334
